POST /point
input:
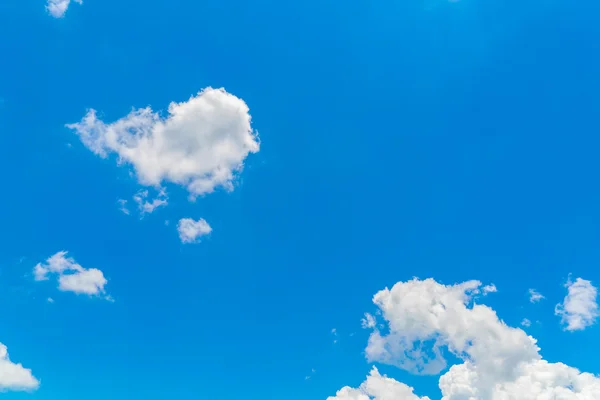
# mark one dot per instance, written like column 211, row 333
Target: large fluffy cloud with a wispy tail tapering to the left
column 201, row 144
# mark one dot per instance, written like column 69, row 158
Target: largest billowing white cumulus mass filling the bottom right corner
column 424, row 317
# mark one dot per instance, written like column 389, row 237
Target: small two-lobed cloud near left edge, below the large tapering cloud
column 71, row 276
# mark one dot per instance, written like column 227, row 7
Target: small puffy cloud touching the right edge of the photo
column 579, row 309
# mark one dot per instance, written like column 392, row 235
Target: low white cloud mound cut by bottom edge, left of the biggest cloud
column 378, row 387
